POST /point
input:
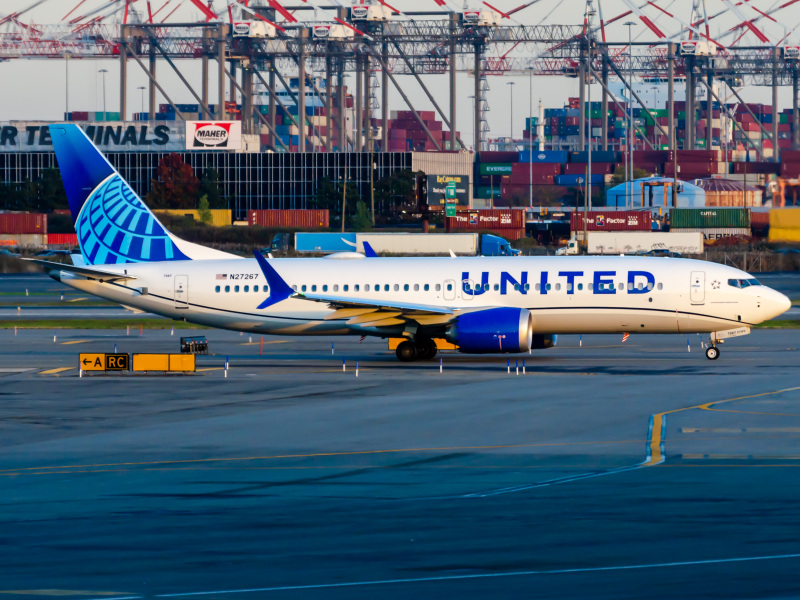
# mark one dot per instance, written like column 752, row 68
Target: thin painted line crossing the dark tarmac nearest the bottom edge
column 321, row 586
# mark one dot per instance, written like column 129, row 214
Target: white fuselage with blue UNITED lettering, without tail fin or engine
column 564, row 294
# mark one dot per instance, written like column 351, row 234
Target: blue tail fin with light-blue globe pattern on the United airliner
column 112, row 222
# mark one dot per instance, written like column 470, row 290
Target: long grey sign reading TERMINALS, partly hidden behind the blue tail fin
column 109, row 137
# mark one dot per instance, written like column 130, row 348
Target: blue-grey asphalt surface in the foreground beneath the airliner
column 607, row 470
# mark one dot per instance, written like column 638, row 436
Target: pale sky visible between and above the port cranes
column 35, row 89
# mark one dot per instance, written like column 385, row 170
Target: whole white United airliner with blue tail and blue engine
column 483, row 304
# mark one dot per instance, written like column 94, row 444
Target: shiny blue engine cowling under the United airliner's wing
column 493, row 331
